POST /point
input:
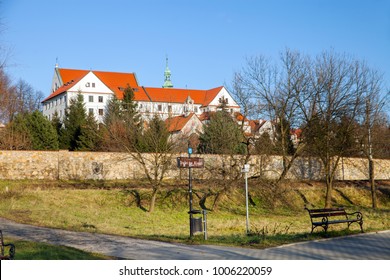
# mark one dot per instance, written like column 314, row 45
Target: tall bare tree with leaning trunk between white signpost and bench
column 273, row 91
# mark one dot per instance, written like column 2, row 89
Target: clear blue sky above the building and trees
column 205, row 40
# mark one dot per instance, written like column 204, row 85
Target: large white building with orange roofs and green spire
column 97, row 87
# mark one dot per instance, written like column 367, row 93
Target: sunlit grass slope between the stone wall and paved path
column 277, row 216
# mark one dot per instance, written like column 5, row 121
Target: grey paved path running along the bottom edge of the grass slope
column 368, row 246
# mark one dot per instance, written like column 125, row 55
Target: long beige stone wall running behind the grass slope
column 64, row 165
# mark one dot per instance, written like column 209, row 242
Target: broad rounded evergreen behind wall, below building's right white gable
column 222, row 135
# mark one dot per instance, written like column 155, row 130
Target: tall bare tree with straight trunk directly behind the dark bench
column 334, row 101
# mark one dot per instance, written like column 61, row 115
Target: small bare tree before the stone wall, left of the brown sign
column 149, row 144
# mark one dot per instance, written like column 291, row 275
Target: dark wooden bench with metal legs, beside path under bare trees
column 328, row 216
